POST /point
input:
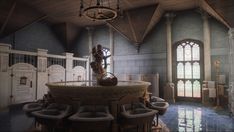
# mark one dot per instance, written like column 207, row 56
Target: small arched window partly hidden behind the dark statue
column 106, row 58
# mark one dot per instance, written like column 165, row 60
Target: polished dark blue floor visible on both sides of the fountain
column 180, row 116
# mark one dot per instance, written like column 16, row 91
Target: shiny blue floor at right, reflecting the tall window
column 195, row 117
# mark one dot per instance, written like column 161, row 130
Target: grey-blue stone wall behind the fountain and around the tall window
column 152, row 58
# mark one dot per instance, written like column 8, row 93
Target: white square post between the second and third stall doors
column 69, row 66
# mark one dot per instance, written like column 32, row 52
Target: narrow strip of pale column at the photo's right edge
column 231, row 72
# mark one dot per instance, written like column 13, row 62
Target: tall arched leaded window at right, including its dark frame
column 188, row 67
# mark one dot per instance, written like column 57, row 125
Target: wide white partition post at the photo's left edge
column 4, row 75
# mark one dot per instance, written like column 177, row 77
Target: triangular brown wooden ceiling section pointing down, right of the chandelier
column 135, row 22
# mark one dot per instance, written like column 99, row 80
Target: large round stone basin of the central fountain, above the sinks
column 90, row 89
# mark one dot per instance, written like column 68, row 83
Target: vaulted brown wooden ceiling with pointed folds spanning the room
column 139, row 16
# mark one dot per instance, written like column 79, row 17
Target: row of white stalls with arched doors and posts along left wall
column 23, row 74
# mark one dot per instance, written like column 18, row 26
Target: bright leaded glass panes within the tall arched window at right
column 188, row 67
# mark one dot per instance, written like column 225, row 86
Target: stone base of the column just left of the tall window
column 169, row 92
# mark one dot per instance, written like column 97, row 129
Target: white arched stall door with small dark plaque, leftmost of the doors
column 22, row 82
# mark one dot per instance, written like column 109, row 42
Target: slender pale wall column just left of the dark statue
column 90, row 42
